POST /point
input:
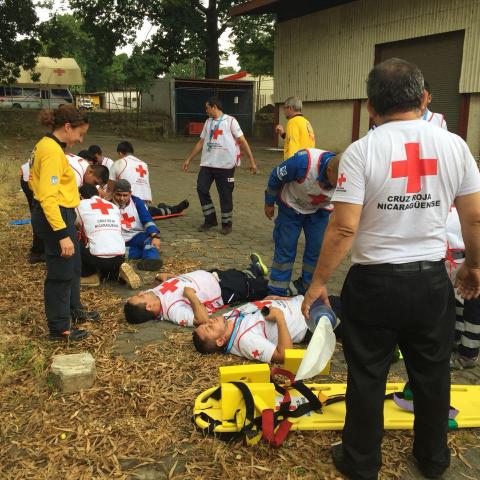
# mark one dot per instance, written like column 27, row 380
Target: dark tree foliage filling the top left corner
column 18, row 44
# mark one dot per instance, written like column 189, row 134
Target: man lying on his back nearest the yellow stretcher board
column 245, row 332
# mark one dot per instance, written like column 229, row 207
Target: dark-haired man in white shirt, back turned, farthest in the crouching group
column 130, row 168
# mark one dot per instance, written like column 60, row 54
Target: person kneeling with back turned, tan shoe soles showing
column 102, row 247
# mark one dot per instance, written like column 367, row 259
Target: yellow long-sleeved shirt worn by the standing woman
column 52, row 181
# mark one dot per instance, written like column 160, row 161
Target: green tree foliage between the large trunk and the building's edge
column 253, row 42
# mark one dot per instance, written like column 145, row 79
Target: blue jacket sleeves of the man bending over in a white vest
column 292, row 169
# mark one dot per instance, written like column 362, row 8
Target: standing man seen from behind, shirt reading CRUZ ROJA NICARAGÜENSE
column 393, row 194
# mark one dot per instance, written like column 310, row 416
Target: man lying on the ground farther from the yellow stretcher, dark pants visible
column 189, row 299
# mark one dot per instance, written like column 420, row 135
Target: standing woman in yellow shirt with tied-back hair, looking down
column 56, row 195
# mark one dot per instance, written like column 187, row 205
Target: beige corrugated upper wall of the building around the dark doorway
column 327, row 55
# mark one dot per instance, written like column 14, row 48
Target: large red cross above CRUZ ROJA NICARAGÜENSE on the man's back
column 414, row 167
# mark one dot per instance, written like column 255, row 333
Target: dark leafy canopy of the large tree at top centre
column 185, row 29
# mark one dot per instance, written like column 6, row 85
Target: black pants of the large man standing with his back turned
column 415, row 310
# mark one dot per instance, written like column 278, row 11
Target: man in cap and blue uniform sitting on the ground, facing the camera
column 141, row 235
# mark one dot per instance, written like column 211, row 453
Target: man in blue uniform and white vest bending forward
column 302, row 187
